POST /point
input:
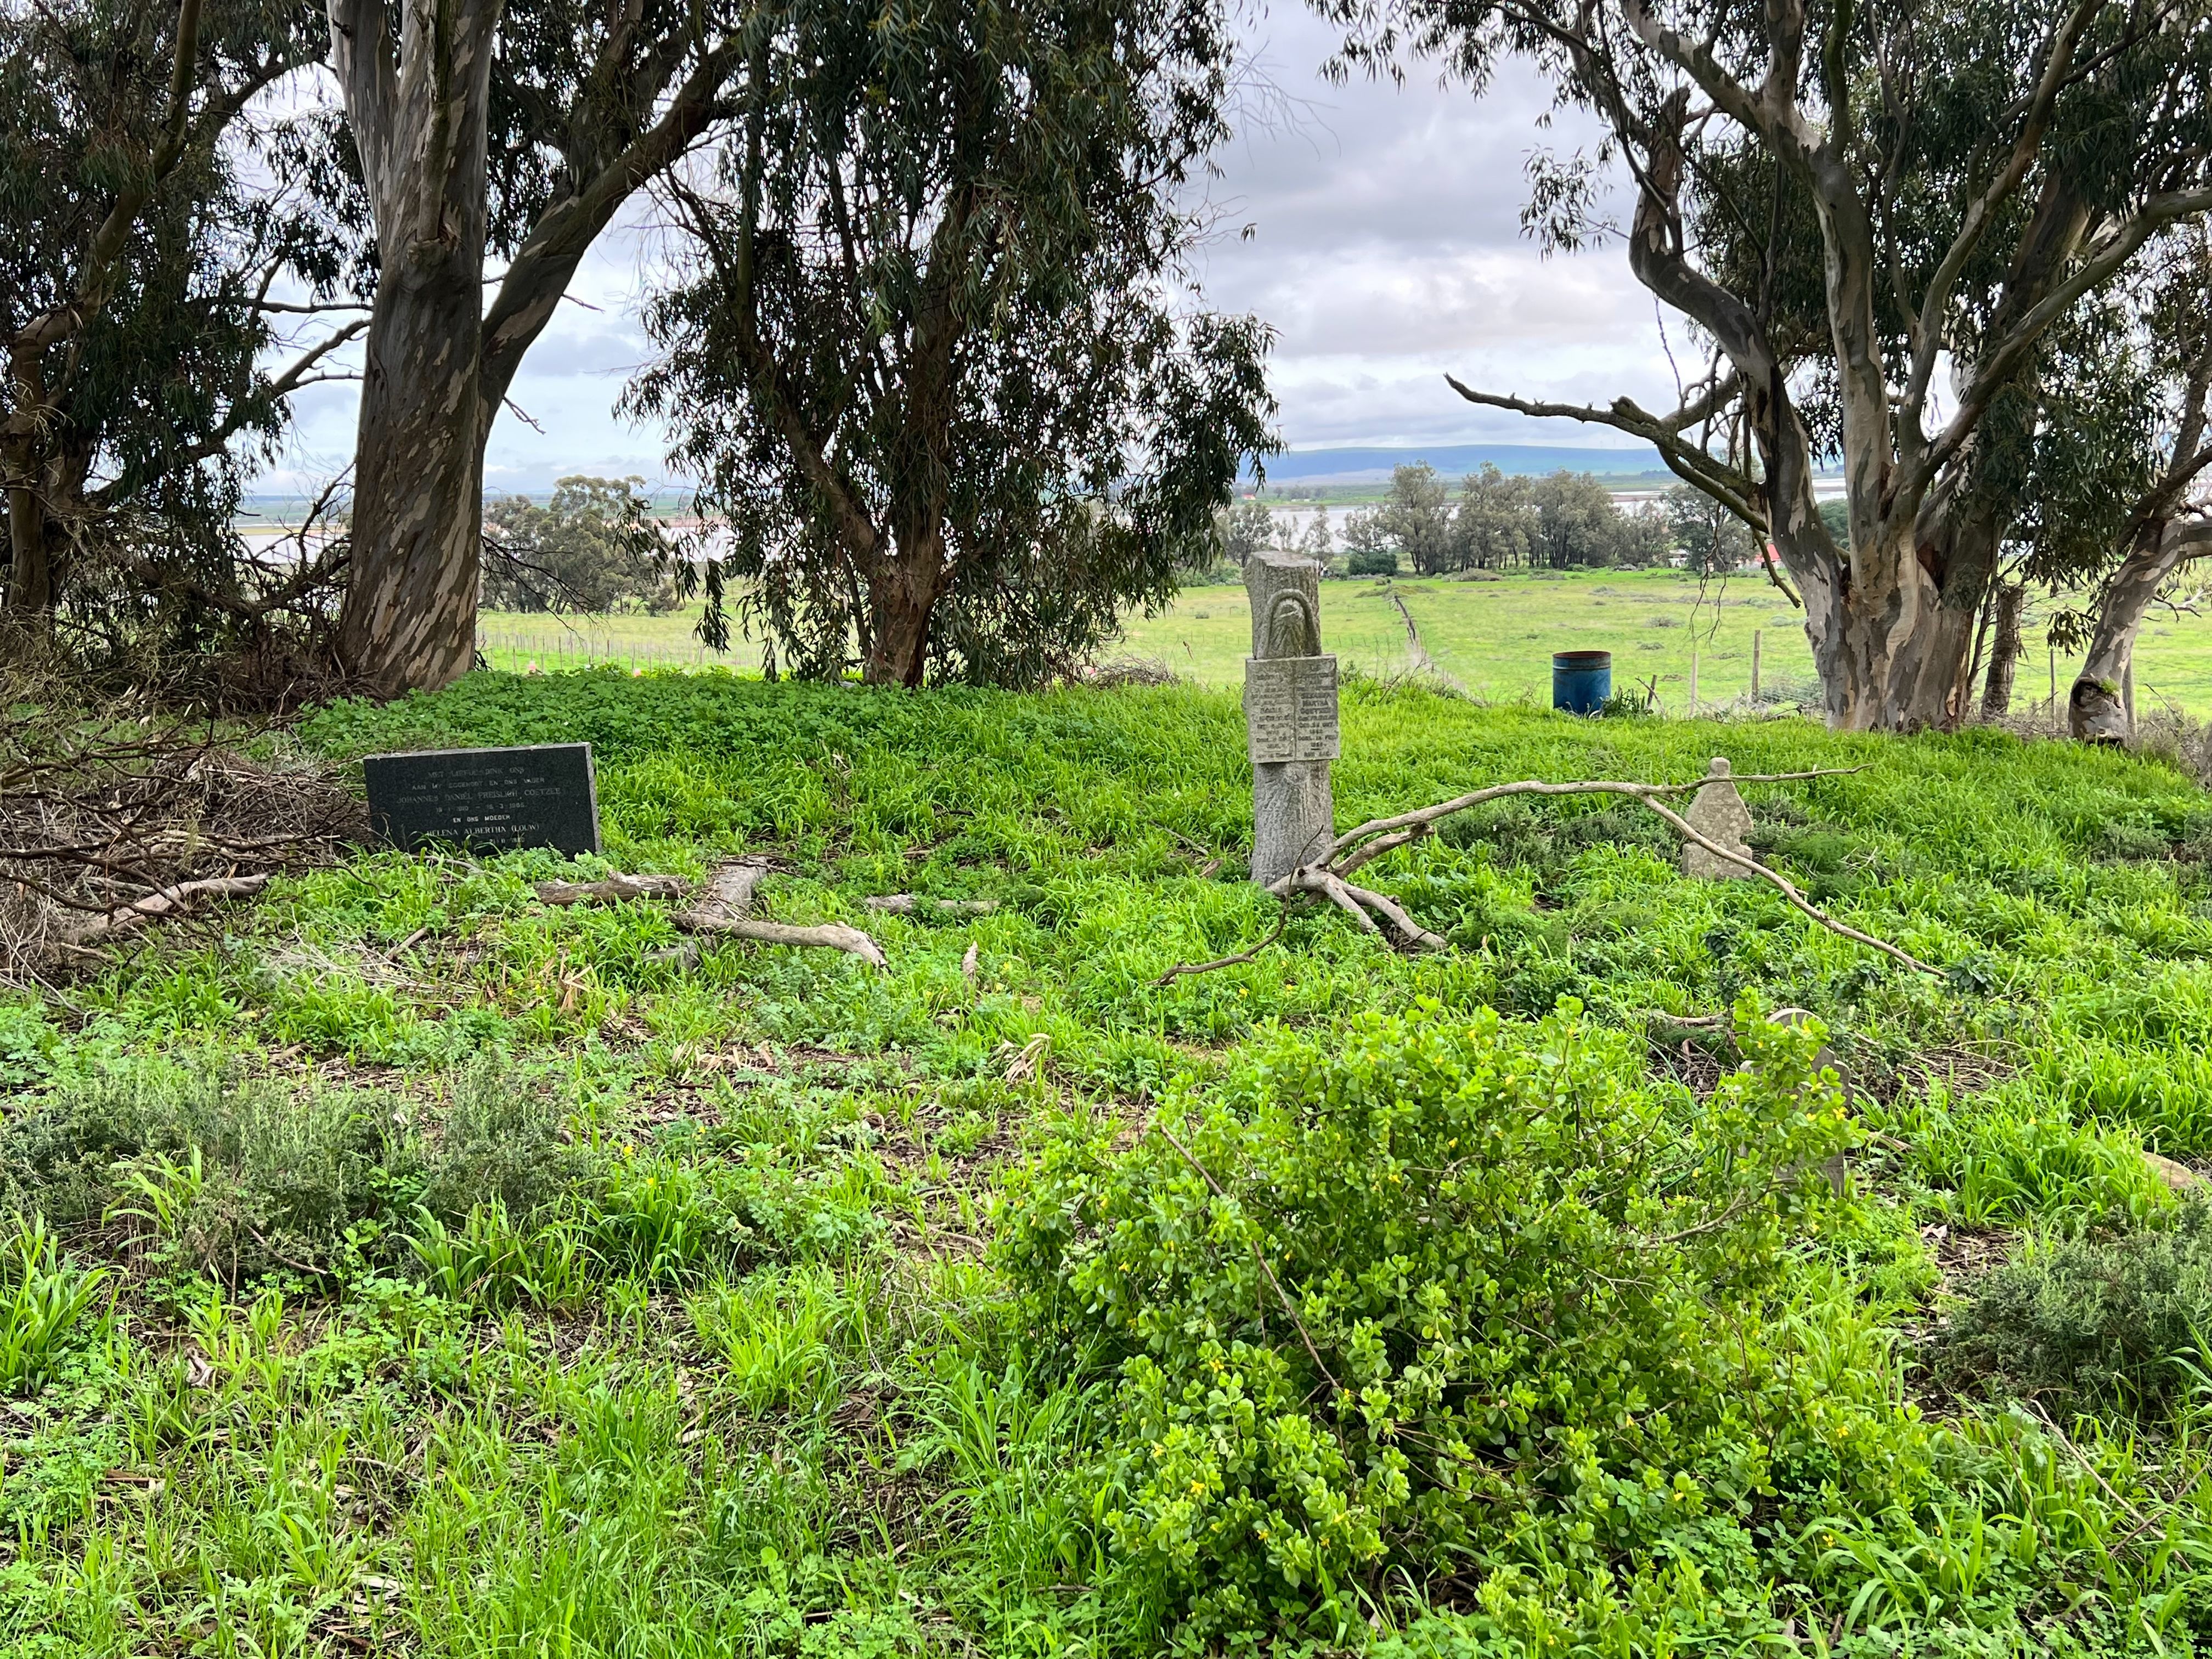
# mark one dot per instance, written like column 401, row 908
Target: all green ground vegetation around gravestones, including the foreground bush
column 406, row 1266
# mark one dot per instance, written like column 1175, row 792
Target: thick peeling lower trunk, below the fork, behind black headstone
column 419, row 481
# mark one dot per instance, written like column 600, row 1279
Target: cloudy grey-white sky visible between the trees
column 1384, row 247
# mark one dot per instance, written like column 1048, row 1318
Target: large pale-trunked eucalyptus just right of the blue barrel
column 1846, row 202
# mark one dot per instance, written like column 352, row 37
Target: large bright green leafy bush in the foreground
column 1519, row 1275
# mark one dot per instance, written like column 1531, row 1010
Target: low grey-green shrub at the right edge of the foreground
column 2111, row 1322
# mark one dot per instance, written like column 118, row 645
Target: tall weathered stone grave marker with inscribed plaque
column 1291, row 716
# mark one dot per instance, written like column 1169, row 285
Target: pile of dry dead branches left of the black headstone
column 112, row 820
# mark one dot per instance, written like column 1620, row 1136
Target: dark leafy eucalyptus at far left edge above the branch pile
column 140, row 244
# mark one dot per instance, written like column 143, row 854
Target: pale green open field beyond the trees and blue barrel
column 1492, row 638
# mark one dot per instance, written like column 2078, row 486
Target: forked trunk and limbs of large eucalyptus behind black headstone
column 483, row 127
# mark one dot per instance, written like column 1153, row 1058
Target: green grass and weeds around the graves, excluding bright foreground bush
column 424, row 1269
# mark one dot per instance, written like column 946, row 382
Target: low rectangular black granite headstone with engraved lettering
column 488, row 800
